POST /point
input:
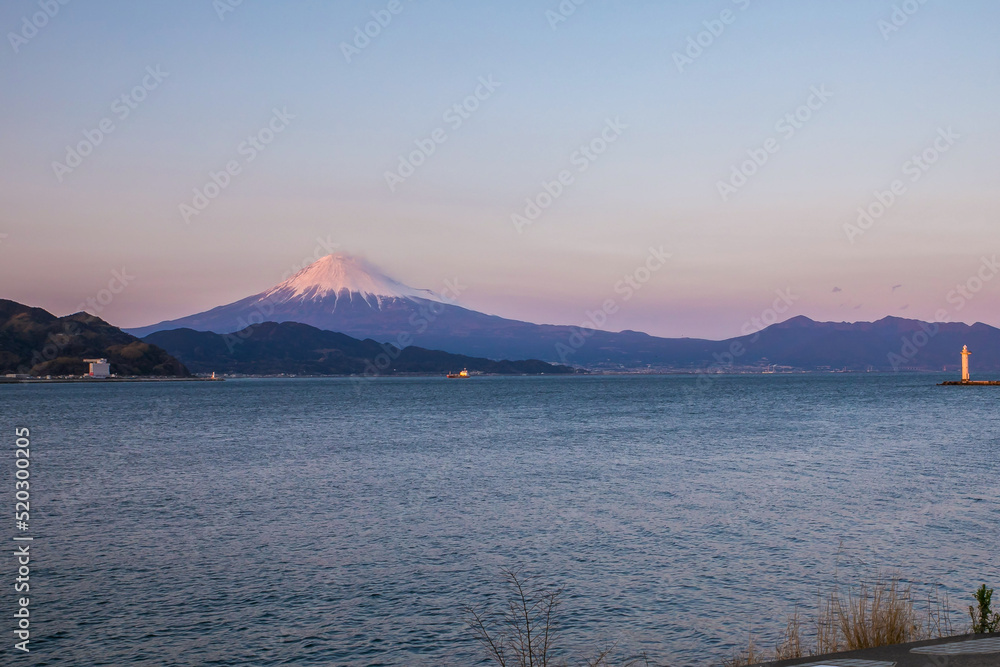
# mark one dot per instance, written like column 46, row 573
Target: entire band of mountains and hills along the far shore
column 342, row 316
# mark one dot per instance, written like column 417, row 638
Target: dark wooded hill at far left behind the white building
column 36, row 342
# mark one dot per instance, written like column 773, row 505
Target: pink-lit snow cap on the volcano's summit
column 335, row 274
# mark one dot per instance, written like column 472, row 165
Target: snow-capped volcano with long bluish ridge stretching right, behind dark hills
column 348, row 295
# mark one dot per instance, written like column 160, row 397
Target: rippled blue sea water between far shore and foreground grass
column 348, row 522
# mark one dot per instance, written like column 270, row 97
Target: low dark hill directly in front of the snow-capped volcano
column 272, row 348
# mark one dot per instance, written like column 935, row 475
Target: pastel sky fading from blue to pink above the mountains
column 674, row 126
